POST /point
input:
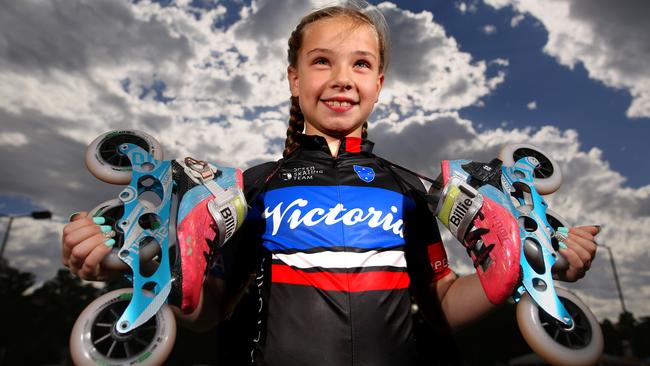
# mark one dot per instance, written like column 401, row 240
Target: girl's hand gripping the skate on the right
column 579, row 252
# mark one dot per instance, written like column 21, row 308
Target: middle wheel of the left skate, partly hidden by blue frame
column 113, row 211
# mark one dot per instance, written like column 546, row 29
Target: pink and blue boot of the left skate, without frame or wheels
column 212, row 206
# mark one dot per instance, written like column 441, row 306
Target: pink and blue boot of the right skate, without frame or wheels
column 486, row 228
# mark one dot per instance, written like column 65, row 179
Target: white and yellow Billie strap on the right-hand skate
column 459, row 206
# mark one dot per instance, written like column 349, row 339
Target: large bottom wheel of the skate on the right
column 580, row 345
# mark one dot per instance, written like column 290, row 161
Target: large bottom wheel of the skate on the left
column 95, row 341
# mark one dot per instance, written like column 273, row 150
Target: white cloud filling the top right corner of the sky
column 609, row 39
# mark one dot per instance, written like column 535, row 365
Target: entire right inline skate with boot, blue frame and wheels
column 497, row 212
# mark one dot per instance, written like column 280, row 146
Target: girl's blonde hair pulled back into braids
column 358, row 11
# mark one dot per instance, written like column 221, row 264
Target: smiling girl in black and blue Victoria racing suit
column 341, row 244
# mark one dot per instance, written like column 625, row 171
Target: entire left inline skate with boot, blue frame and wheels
column 168, row 222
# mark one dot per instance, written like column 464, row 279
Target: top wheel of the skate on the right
column 547, row 175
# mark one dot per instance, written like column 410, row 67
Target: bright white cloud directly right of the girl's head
column 428, row 70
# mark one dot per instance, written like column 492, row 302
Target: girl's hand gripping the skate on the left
column 85, row 242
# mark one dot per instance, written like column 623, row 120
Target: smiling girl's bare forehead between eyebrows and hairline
column 341, row 33
